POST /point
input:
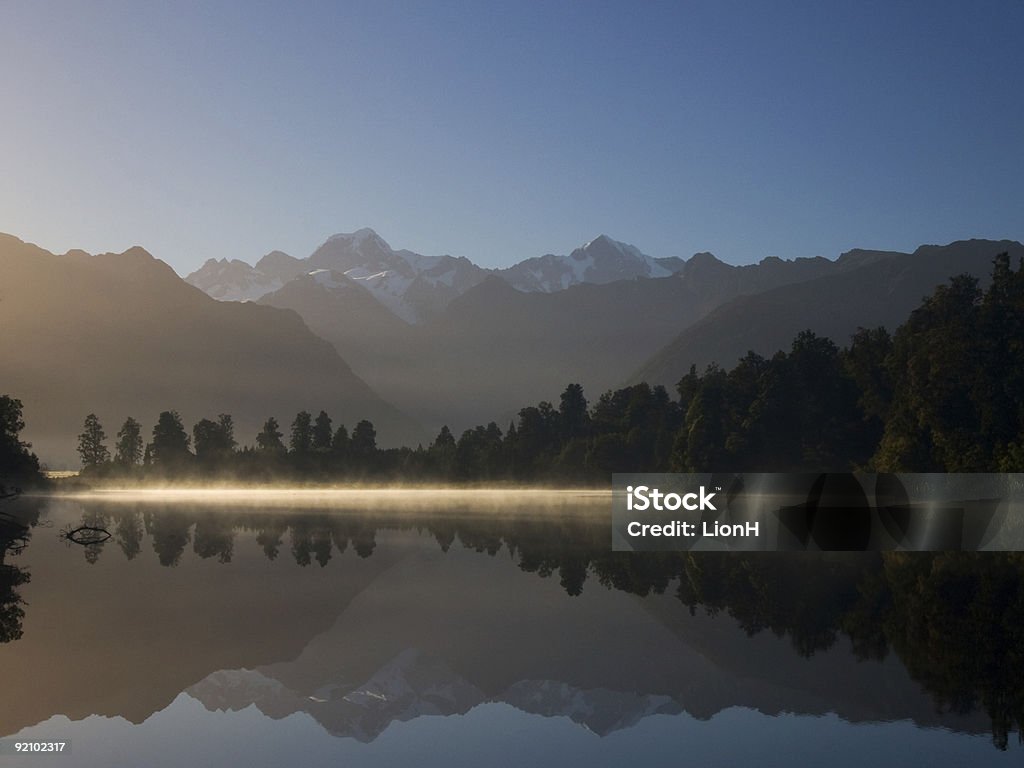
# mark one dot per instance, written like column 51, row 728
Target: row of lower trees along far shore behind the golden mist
column 629, row 430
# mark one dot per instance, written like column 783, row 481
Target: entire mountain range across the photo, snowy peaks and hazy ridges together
column 413, row 343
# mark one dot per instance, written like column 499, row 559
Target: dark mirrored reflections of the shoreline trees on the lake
column 955, row 620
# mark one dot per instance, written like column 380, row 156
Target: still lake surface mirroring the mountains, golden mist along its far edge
column 485, row 629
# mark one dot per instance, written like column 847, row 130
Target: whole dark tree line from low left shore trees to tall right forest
column 945, row 393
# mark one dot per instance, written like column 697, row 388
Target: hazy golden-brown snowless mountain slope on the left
column 122, row 335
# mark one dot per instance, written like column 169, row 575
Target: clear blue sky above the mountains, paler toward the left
column 500, row 132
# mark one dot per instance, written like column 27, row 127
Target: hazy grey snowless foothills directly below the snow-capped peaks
column 495, row 350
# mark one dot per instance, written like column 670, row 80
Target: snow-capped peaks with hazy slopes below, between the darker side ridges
column 457, row 345
